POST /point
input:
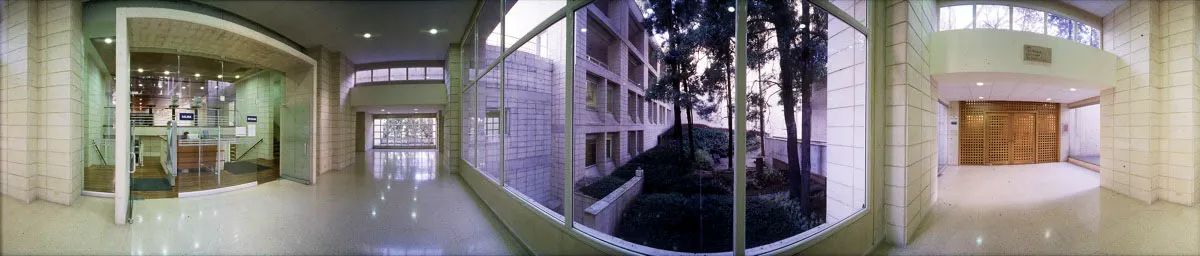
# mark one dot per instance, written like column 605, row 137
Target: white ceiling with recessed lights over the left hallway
column 399, row 29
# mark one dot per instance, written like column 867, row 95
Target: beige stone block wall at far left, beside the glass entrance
column 43, row 100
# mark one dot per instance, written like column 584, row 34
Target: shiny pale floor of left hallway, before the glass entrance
column 389, row 204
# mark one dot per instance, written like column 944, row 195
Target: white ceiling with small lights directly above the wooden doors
column 1011, row 87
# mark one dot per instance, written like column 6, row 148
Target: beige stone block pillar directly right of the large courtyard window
column 911, row 123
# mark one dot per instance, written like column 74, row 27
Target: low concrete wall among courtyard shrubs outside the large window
column 604, row 215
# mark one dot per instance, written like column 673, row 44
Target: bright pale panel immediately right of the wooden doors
column 1084, row 134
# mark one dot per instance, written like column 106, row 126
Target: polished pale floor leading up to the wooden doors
column 1047, row 210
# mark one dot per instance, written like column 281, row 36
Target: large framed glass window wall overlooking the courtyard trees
column 602, row 121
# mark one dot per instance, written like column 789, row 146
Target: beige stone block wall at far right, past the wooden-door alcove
column 1150, row 117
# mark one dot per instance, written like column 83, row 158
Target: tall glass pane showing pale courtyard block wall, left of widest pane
column 536, row 84
